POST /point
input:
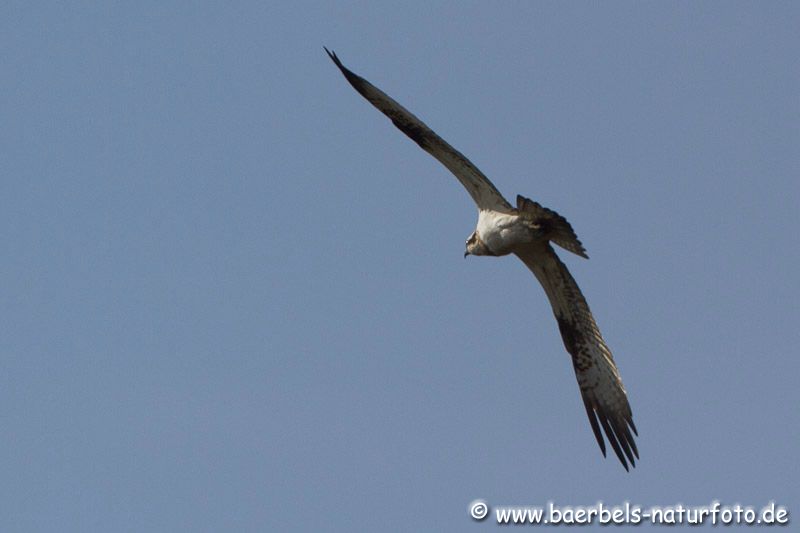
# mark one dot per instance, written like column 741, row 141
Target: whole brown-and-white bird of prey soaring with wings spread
column 527, row 231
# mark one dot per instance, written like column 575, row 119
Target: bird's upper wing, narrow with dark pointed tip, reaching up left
column 483, row 192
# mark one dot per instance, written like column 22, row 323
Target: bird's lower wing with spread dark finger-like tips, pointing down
column 598, row 378
